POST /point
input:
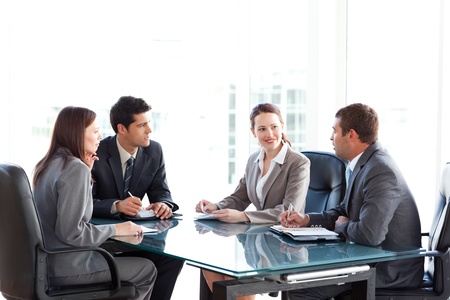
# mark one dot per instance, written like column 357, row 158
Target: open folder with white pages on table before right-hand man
column 307, row 234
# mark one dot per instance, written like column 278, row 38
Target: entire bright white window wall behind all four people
column 204, row 64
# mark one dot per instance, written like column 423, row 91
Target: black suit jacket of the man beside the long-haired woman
column 149, row 177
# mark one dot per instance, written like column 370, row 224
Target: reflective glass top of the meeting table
column 246, row 250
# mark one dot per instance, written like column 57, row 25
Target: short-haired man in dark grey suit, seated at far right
column 378, row 208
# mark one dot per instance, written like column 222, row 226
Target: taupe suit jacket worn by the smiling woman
column 288, row 183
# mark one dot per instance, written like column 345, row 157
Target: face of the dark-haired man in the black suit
column 138, row 133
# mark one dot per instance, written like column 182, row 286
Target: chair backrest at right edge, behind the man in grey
column 439, row 236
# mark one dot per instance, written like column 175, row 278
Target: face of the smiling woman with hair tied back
column 268, row 130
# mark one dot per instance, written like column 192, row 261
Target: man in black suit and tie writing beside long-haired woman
column 120, row 185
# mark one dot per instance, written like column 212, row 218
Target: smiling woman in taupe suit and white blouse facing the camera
column 275, row 177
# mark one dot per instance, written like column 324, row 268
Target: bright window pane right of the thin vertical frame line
column 395, row 64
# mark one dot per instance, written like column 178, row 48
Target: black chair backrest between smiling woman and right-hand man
column 327, row 181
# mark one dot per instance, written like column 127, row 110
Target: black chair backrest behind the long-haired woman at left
column 20, row 233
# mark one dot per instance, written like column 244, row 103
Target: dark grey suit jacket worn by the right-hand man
column 382, row 212
